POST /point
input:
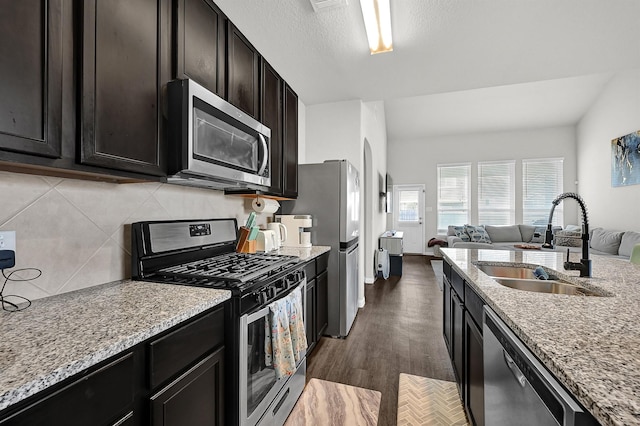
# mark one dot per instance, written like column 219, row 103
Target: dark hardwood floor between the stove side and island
column 398, row 331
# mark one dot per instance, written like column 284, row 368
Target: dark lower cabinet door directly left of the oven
column 196, row 398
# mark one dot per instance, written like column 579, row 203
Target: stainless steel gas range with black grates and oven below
column 201, row 253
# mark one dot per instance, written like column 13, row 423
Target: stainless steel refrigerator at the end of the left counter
column 330, row 192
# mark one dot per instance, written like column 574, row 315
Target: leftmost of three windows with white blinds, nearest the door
column 454, row 184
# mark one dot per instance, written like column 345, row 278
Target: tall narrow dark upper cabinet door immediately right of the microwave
column 271, row 116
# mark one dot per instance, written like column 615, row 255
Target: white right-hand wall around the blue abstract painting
column 615, row 113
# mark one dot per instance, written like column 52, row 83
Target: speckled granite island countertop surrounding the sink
column 589, row 343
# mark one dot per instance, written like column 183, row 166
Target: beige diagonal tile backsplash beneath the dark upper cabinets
column 78, row 232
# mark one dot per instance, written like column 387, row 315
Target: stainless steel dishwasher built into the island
column 518, row 389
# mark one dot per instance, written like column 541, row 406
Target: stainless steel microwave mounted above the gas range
column 212, row 143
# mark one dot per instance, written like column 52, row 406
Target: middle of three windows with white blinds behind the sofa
column 488, row 187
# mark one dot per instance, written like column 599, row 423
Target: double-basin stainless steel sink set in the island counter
column 522, row 278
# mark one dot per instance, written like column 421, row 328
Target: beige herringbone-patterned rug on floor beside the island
column 424, row 401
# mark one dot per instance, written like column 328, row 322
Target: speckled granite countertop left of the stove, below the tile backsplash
column 59, row 336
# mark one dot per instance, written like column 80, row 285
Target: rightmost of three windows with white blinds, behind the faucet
column 541, row 183
